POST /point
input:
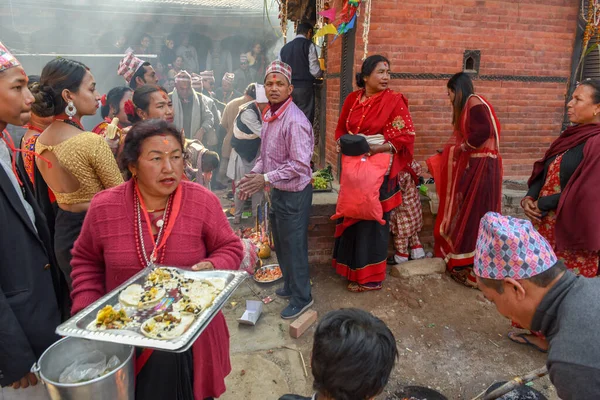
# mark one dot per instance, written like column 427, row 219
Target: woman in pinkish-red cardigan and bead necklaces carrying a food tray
column 156, row 217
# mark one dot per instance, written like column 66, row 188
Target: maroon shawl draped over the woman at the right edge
column 578, row 213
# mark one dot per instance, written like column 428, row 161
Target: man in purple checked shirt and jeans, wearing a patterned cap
column 284, row 165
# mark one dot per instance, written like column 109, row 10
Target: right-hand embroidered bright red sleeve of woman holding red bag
column 400, row 132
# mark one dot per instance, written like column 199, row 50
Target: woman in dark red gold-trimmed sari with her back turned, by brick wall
column 469, row 183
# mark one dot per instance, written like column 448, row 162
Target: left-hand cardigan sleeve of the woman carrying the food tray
column 88, row 269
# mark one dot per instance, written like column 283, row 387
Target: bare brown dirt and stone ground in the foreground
column 449, row 338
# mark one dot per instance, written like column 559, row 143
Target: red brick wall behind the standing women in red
column 516, row 38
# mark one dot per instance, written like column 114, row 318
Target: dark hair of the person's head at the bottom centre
column 353, row 355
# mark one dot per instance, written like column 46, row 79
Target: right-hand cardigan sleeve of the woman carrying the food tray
column 223, row 247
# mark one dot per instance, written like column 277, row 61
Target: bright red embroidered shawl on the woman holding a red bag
column 385, row 113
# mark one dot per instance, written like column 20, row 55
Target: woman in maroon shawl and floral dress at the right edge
column 562, row 200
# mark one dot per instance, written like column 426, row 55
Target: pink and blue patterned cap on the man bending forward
column 509, row 247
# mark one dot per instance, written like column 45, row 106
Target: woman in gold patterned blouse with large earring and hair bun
column 82, row 164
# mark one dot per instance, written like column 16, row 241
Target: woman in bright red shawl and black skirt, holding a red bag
column 382, row 116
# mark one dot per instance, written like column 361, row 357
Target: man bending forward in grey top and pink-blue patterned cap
column 518, row 271
